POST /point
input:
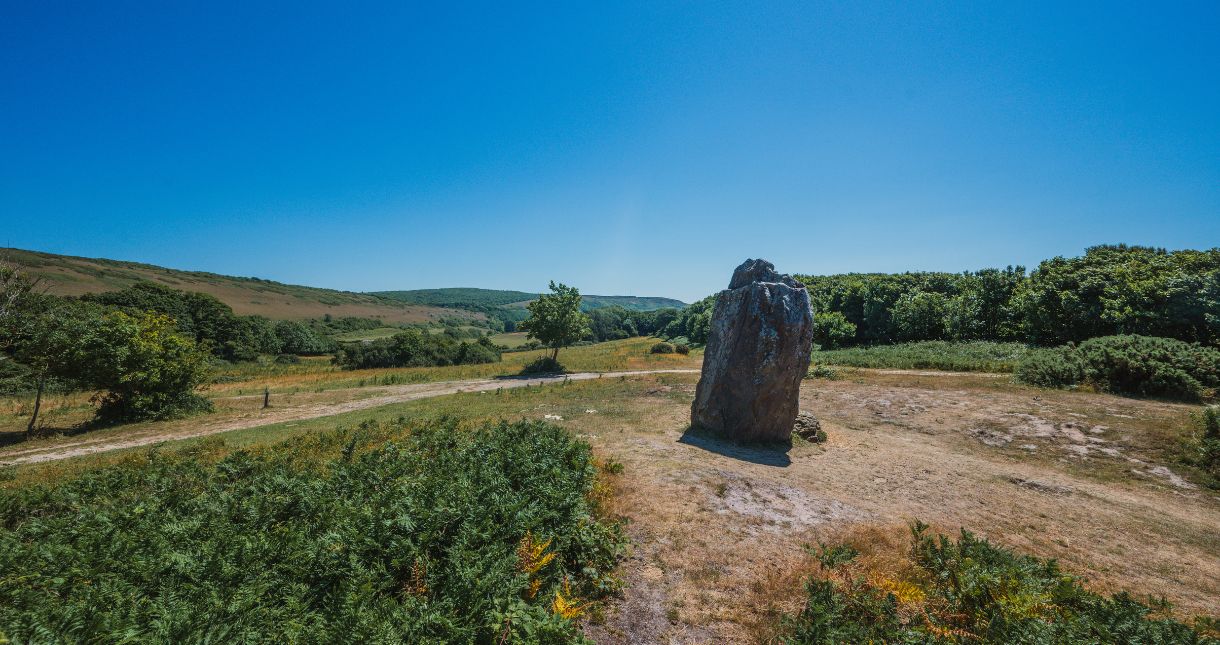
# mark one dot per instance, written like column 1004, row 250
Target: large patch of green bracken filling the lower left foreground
column 380, row 535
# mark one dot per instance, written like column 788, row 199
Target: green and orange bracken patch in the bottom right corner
column 969, row 591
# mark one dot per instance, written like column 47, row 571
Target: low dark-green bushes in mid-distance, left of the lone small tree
column 417, row 349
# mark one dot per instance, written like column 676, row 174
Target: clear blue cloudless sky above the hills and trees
column 640, row 149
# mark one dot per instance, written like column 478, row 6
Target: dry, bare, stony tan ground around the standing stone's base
column 1064, row 475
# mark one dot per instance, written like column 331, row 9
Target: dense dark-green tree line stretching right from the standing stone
column 1111, row 291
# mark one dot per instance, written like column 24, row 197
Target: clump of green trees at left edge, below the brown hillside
column 145, row 349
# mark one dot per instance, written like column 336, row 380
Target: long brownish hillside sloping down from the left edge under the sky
column 75, row 276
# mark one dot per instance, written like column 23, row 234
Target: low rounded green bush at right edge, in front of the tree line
column 1145, row 366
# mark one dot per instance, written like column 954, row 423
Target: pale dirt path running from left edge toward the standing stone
column 384, row 396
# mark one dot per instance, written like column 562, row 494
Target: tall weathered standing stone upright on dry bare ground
column 757, row 355
